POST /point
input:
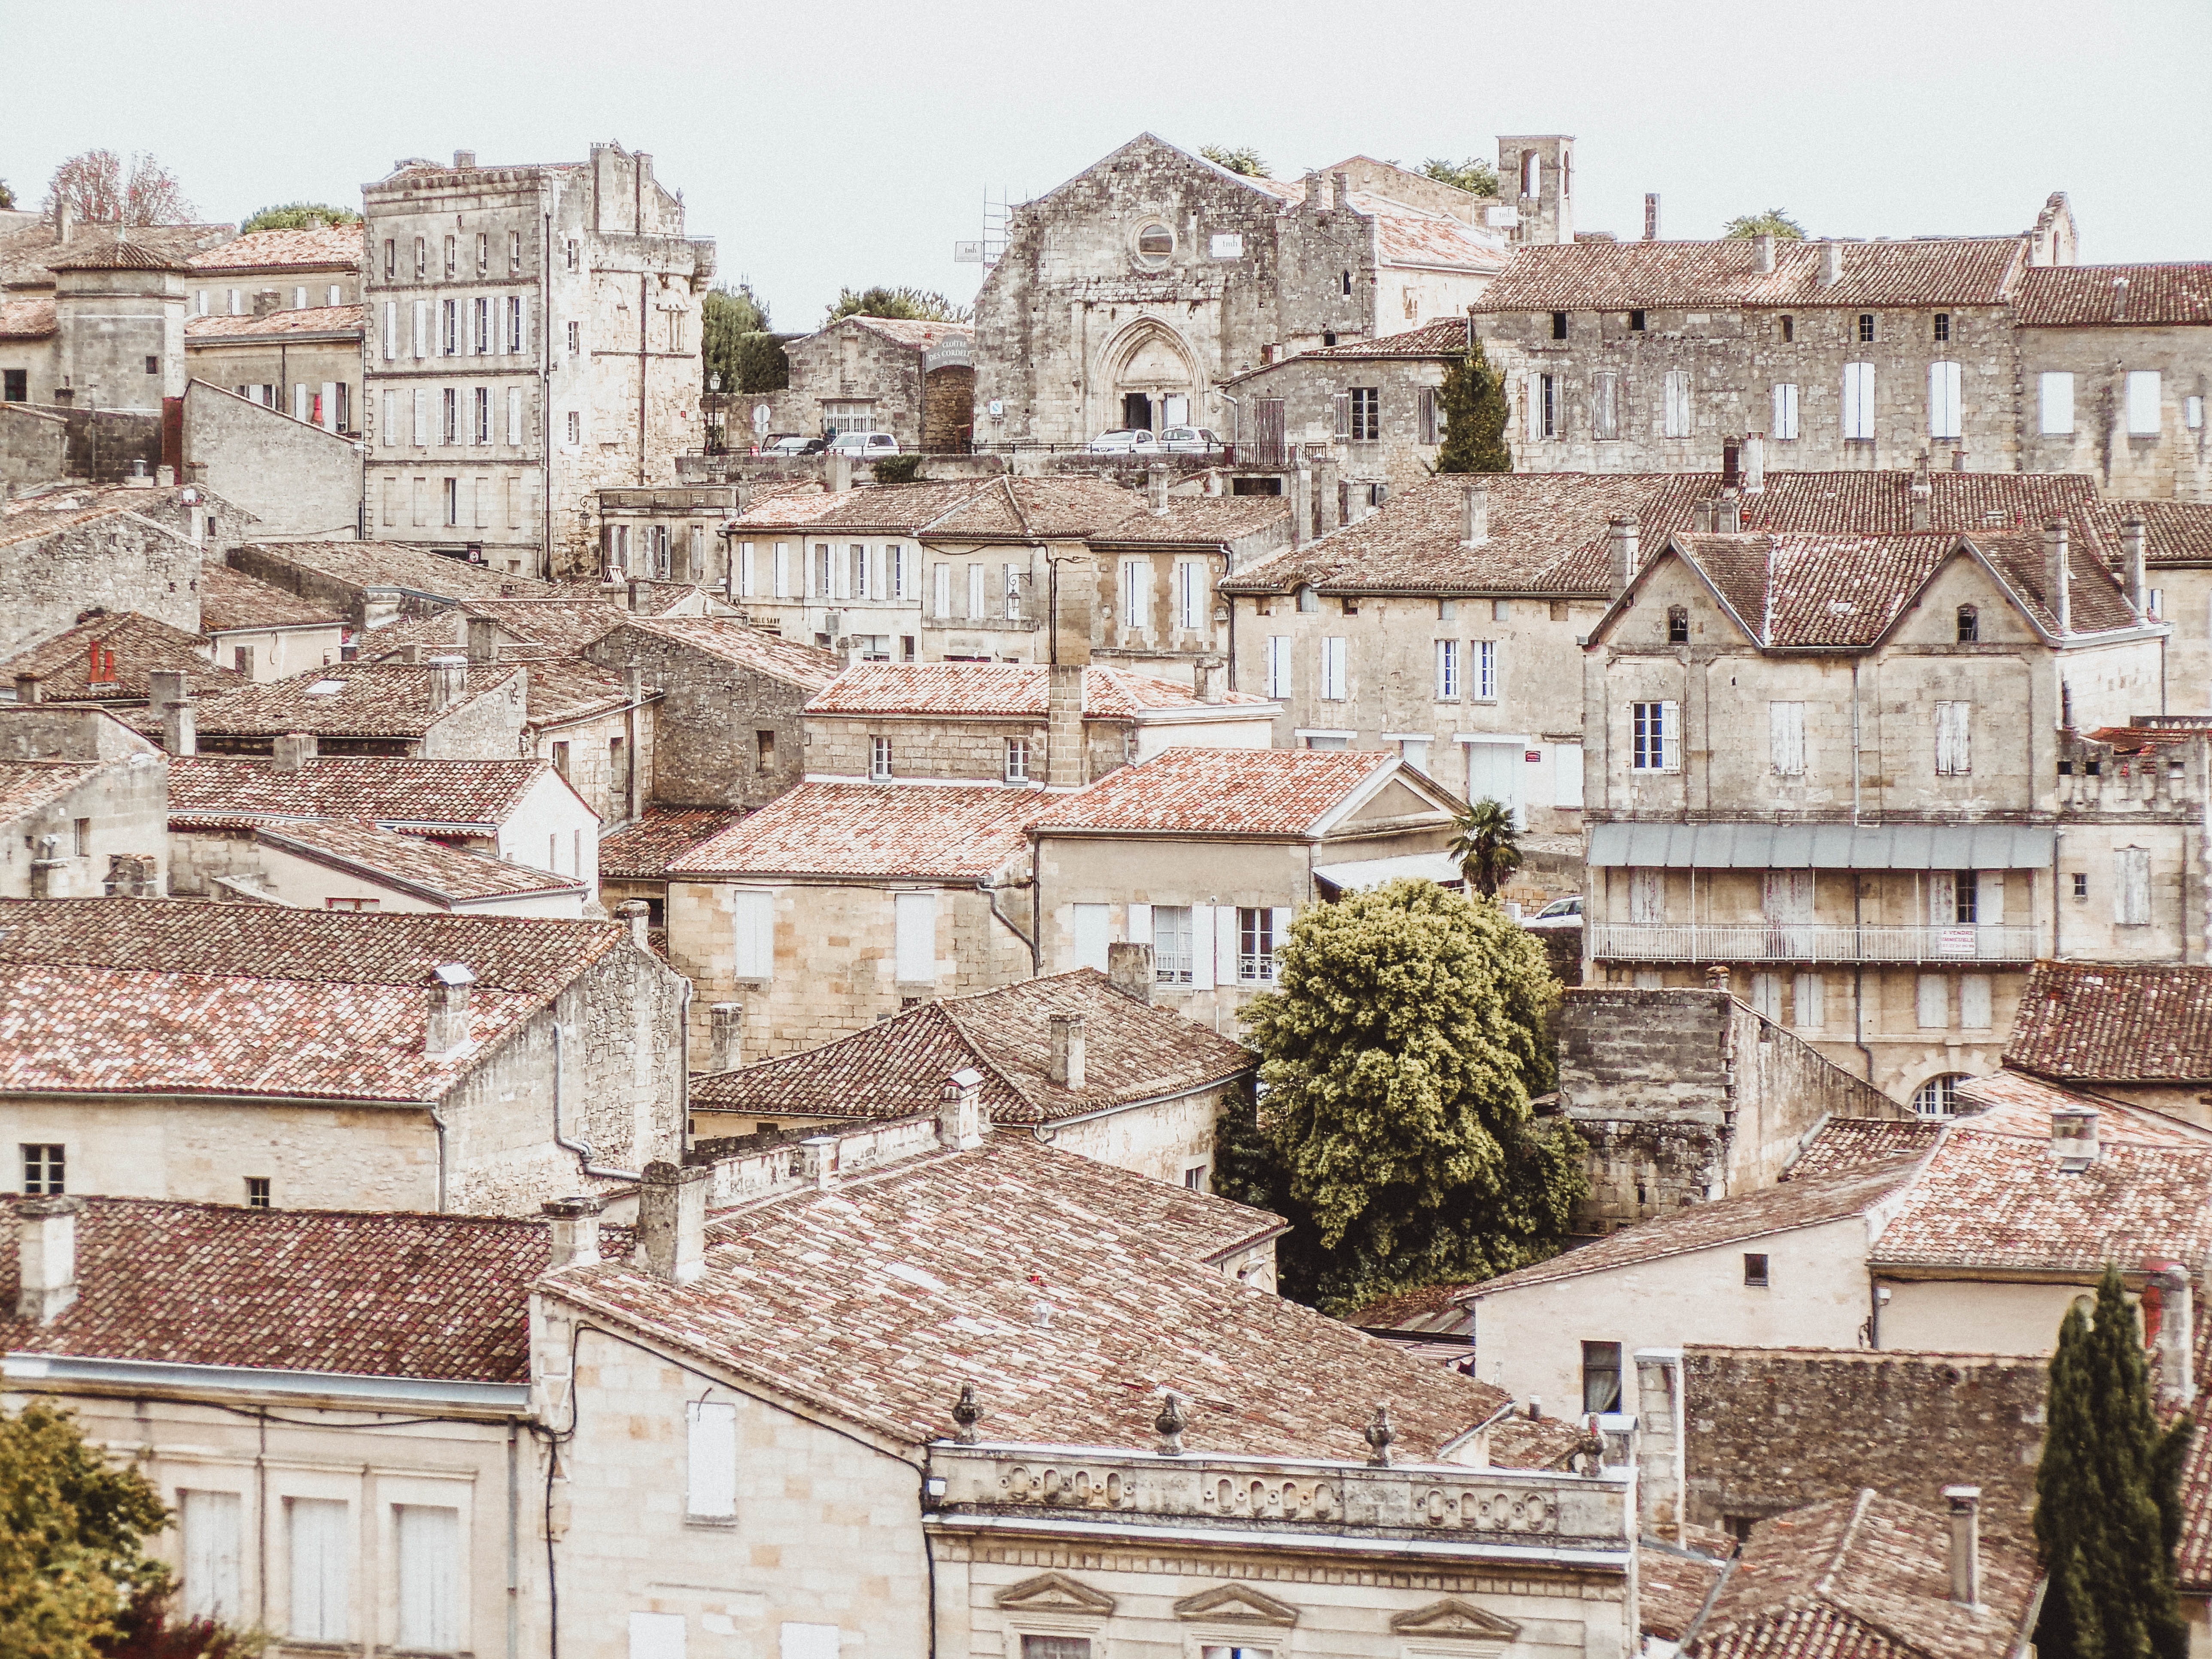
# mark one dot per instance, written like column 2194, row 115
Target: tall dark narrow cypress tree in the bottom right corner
column 2109, row 1496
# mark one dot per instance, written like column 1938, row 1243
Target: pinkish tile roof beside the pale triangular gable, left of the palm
column 1222, row 793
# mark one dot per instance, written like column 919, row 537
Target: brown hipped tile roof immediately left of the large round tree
column 899, row 1067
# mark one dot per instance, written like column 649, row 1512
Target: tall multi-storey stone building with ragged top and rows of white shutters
column 532, row 340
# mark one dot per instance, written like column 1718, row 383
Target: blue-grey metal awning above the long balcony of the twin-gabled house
column 1822, row 846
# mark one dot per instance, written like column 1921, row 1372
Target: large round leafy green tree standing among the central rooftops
column 1397, row 1136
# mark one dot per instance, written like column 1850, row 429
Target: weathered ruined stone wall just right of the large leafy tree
column 1689, row 1096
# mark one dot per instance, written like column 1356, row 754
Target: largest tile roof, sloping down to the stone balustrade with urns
column 877, row 1300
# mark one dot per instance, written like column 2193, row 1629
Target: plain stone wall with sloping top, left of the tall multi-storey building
column 302, row 483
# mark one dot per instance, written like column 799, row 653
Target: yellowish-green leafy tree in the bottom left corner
column 72, row 1530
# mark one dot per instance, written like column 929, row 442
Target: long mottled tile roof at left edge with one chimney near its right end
column 178, row 999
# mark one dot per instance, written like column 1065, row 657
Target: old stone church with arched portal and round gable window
column 1129, row 295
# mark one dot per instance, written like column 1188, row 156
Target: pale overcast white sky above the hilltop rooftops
column 831, row 143
